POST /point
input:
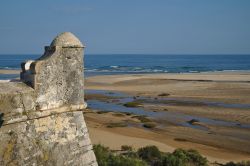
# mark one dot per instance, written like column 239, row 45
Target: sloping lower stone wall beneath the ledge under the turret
column 60, row 139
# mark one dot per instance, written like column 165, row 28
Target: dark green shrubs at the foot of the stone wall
column 149, row 155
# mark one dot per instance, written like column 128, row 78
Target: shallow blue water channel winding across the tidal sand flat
column 176, row 118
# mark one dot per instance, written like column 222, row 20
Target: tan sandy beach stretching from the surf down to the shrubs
column 221, row 98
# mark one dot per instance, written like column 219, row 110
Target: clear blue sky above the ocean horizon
column 128, row 26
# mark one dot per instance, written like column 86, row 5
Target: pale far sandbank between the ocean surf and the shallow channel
column 218, row 86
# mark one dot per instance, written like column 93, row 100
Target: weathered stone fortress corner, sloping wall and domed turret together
column 42, row 116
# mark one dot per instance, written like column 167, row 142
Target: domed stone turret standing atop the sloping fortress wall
column 57, row 76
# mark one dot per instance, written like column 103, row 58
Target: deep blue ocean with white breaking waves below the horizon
column 140, row 63
